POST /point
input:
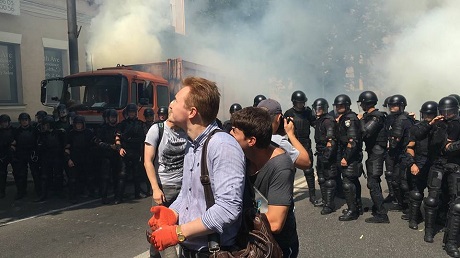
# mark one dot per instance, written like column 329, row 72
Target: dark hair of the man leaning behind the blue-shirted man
column 254, row 122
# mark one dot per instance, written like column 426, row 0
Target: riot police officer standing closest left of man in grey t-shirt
column 129, row 142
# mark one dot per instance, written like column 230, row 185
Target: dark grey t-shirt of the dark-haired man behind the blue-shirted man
column 275, row 180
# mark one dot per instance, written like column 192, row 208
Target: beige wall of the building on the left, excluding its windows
column 41, row 24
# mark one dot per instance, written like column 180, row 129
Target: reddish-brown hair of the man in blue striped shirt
column 204, row 96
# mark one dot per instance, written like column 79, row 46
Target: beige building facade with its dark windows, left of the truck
column 34, row 46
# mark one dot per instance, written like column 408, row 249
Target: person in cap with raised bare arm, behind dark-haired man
column 282, row 127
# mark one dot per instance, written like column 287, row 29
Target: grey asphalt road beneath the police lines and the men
column 88, row 229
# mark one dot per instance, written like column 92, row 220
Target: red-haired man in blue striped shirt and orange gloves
column 187, row 222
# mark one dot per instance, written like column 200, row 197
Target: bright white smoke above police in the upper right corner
column 423, row 62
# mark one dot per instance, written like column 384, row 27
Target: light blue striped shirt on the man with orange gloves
column 226, row 165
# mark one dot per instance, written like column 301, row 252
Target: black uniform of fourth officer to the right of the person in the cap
column 375, row 137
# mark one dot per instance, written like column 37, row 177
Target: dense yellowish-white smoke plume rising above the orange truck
column 125, row 32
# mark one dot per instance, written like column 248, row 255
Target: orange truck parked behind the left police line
column 149, row 85
